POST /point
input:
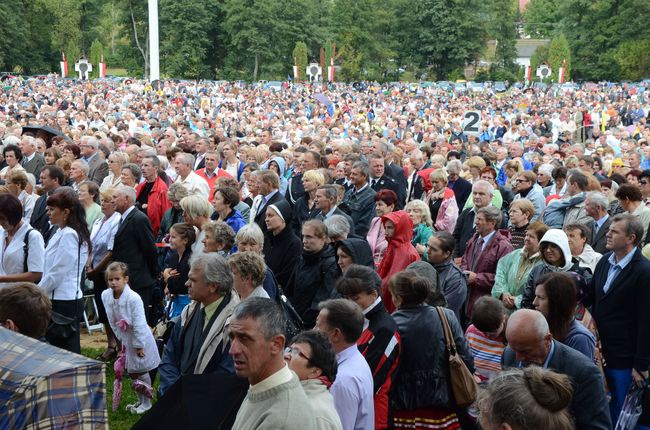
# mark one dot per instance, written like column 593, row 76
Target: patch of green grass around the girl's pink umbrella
column 120, row 419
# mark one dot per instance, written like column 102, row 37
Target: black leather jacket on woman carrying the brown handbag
column 423, row 376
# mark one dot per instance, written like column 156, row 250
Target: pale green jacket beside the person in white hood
column 512, row 273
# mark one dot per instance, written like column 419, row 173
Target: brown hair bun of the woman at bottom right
column 551, row 390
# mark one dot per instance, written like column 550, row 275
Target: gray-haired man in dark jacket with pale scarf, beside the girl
column 198, row 343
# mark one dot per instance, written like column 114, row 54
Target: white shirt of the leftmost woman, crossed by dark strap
column 12, row 258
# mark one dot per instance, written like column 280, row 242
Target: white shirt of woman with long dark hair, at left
column 64, row 262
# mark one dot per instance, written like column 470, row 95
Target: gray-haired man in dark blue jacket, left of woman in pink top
column 360, row 199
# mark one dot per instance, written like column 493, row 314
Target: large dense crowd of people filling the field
column 322, row 248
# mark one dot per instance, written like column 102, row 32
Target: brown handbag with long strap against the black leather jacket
column 463, row 385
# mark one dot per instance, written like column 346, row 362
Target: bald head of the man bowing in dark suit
column 529, row 337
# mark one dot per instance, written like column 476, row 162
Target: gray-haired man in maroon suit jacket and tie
column 483, row 252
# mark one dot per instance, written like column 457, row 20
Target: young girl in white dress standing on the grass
column 125, row 313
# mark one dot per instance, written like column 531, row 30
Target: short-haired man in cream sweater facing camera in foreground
column 275, row 399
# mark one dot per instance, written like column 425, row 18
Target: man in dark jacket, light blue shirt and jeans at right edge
column 619, row 293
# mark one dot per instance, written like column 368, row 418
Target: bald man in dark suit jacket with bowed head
column 530, row 343
